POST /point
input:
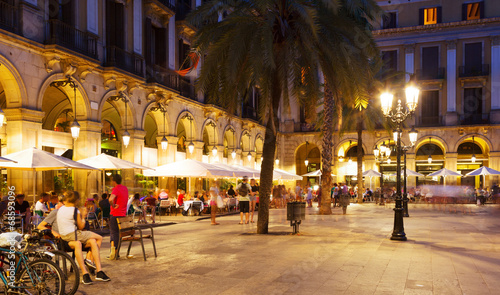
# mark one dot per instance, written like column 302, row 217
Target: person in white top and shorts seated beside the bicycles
column 70, row 222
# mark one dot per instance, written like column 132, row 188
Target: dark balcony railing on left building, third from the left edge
column 130, row 62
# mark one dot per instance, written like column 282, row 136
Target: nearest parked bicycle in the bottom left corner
column 40, row 276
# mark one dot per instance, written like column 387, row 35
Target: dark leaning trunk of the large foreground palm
column 266, row 171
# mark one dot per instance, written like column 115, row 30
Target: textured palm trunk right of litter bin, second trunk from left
column 326, row 154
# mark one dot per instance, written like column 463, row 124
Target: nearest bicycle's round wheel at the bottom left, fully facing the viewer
column 42, row 276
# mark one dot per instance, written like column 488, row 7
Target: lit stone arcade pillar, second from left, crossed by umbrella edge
column 88, row 144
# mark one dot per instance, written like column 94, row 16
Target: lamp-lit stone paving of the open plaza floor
column 446, row 253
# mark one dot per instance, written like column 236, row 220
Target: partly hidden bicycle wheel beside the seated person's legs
column 69, row 269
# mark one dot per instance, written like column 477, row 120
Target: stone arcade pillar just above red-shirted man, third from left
column 133, row 153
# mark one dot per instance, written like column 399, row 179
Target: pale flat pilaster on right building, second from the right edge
column 451, row 83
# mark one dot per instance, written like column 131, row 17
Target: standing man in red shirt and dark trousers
column 118, row 202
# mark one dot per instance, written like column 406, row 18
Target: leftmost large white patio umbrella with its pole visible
column 33, row 159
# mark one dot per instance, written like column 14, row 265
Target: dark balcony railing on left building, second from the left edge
column 60, row 33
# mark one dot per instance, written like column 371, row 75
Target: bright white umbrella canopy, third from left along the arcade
column 188, row 168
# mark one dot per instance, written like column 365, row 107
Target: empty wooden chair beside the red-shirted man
column 128, row 230
